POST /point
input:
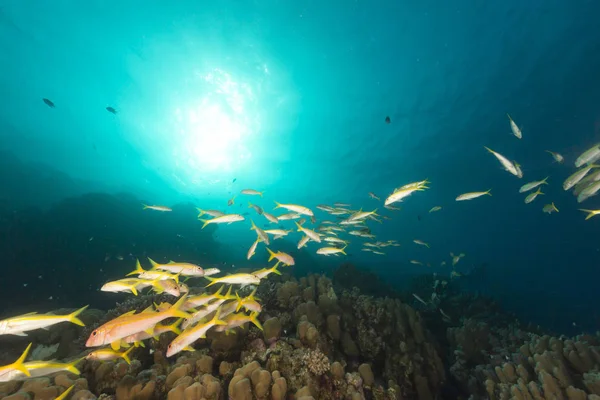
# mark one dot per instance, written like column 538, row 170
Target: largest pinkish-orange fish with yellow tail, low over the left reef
column 115, row 330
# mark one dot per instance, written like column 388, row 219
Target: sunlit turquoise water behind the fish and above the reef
column 292, row 99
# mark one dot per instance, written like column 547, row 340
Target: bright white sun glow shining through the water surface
column 213, row 131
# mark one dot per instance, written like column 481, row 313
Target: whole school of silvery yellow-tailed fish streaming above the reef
column 224, row 310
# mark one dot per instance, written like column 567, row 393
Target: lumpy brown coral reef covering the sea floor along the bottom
column 319, row 343
